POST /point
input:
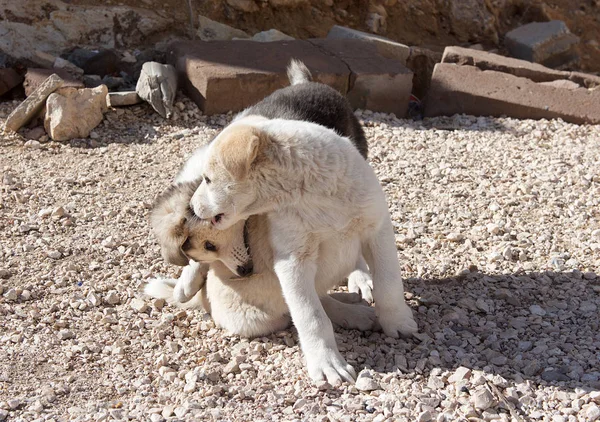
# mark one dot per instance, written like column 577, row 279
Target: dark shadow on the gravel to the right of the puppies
column 538, row 326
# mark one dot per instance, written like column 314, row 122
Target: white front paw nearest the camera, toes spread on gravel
column 330, row 366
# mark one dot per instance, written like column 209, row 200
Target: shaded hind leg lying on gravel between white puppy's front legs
column 351, row 316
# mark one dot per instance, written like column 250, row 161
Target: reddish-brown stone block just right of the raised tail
column 376, row 83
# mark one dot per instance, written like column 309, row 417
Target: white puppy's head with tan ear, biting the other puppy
column 227, row 189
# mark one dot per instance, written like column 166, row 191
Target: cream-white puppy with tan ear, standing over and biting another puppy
column 315, row 189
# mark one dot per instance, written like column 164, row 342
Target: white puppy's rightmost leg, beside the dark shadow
column 394, row 314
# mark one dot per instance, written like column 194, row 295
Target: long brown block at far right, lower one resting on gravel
column 466, row 89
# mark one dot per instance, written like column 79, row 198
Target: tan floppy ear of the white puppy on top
column 239, row 149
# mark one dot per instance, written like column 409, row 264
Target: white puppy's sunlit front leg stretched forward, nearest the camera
column 295, row 265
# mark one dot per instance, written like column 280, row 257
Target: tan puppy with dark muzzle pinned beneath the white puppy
column 250, row 306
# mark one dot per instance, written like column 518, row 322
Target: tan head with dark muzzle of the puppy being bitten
column 183, row 236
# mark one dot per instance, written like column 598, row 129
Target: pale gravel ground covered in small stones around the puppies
column 498, row 233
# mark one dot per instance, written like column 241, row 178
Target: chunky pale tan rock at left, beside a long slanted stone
column 75, row 112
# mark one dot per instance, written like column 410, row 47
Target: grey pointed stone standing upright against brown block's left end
column 158, row 86
